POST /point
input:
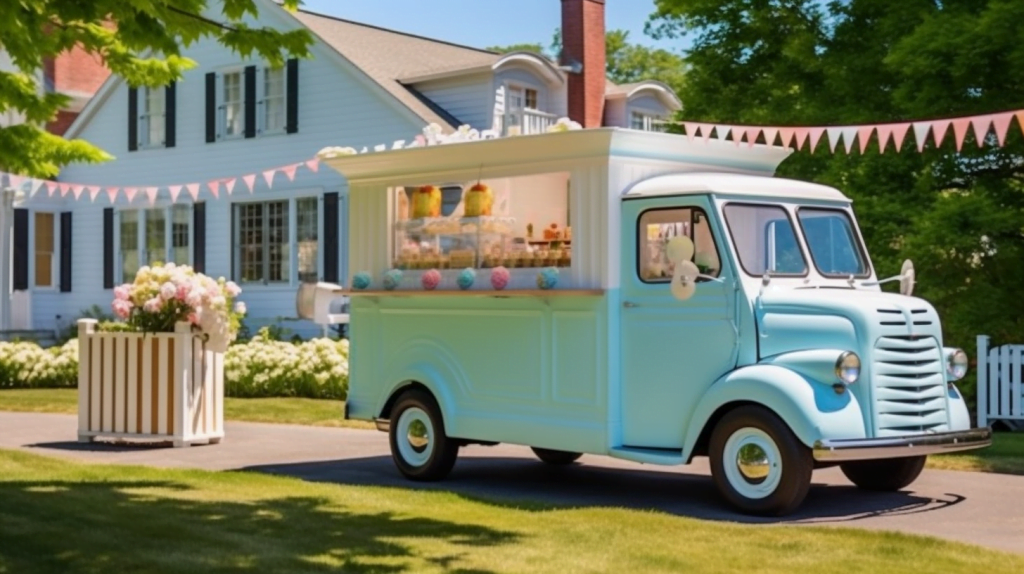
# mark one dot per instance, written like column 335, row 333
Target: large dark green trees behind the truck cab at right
column 960, row 216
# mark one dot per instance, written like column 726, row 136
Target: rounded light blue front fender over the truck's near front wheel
column 814, row 411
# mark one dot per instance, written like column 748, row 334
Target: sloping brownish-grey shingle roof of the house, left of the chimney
column 388, row 56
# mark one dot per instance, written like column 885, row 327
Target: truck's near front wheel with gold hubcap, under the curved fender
column 758, row 464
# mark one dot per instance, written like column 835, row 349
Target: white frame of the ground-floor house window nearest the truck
column 292, row 197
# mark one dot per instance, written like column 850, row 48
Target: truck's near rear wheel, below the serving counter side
column 419, row 447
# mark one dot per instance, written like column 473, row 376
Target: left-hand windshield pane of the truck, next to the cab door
column 765, row 240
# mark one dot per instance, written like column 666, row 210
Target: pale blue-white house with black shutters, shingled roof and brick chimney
column 364, row 86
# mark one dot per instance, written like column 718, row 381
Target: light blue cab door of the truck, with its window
column 671, row 350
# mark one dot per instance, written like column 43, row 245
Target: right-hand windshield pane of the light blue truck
column 833, row 244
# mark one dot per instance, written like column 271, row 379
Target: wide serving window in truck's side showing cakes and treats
column 518, row 223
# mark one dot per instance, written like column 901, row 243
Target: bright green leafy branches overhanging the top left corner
column 140, row 41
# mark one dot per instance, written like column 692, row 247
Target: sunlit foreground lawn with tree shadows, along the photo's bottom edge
column 67, row 517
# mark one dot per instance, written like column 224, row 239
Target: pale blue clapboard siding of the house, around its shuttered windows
column 336, row 108
